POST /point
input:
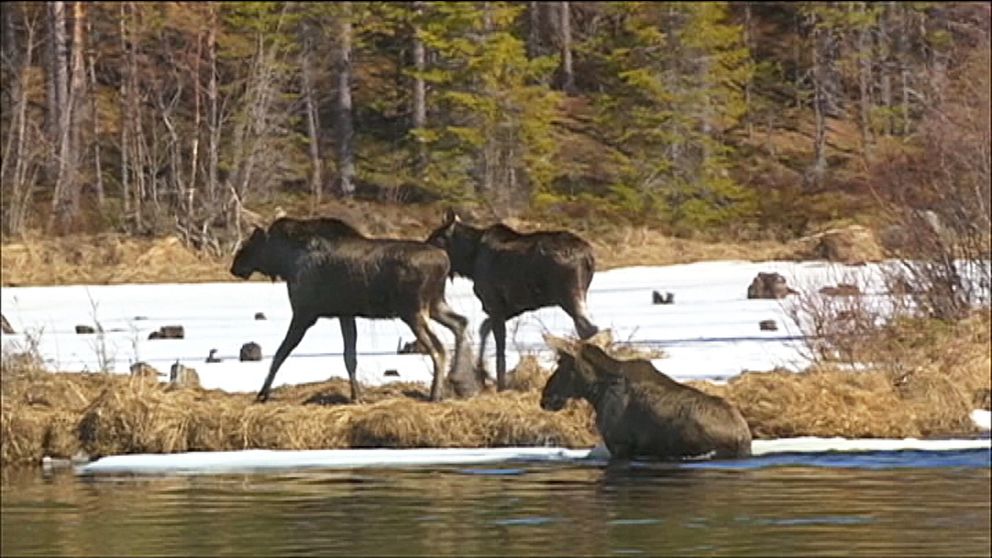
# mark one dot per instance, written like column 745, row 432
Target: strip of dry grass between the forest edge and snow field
column 116, row 259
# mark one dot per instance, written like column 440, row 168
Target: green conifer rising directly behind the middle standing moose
column 492, row 137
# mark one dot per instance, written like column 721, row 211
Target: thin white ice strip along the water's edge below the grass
column 268, row 460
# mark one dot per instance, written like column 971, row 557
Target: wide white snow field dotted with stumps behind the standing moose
column 710, row 332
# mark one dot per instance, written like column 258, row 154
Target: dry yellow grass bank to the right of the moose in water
column 928, row 378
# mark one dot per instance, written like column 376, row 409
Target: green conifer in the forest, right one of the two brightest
column 674, row 80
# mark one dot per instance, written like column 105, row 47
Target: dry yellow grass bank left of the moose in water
column 57, row 414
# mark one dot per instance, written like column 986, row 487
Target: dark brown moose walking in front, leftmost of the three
column 333, row 271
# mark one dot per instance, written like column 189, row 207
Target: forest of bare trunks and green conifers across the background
column 742, row 120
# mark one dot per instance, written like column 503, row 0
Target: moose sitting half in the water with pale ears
column 641, row 412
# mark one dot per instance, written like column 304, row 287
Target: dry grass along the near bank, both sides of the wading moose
column 59, row 414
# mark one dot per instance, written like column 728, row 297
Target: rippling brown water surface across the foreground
column 896, row 503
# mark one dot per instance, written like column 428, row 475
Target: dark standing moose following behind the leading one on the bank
column 514, row 272
